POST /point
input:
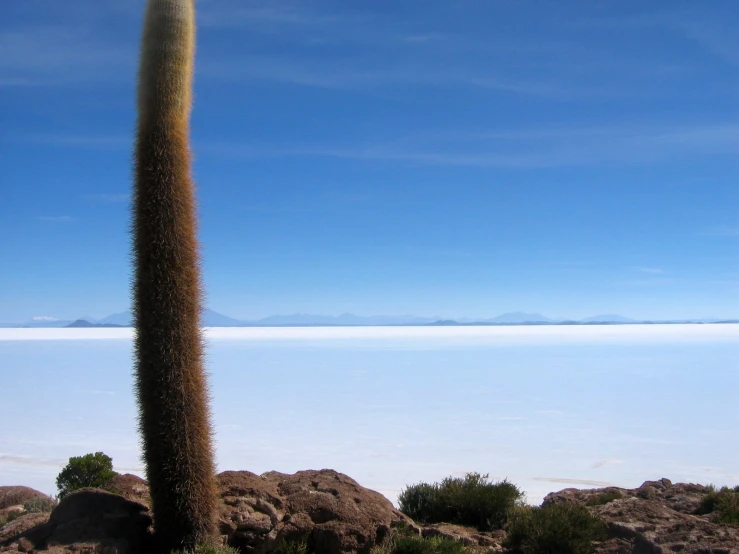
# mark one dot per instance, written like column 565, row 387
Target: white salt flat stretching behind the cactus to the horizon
column 545, row 406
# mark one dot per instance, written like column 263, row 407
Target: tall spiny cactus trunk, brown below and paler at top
column 174, row 418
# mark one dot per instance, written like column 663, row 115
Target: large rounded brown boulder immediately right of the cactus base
column 329, row 509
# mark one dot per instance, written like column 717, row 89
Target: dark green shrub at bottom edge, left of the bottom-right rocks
column 554, row 529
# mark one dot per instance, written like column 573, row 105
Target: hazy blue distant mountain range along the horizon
column 215, row 319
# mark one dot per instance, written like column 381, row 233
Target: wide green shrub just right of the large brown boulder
column 469, row 500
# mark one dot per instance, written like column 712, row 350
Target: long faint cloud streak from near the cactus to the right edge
column 530, row 148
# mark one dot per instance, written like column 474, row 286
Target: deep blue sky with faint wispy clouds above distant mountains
column 436, row 158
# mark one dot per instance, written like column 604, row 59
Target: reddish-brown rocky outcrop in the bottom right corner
column 658, row 517
